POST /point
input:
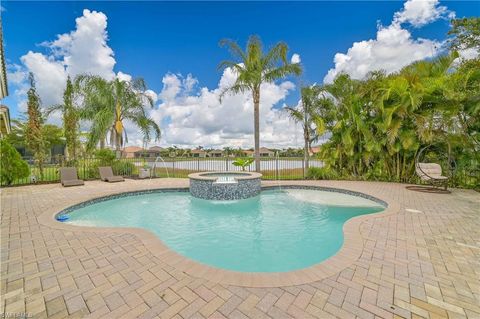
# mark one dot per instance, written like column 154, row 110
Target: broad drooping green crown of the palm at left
column 107, row 104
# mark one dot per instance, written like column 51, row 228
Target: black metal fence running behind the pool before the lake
column 285, row 168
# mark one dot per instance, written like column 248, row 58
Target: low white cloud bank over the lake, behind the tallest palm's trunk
column 192, row 119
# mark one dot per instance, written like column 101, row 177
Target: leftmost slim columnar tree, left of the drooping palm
column 33, row 133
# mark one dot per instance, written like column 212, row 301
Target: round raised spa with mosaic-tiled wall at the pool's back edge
column 225, row 185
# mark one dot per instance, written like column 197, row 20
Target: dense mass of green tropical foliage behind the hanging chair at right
column 378, row 125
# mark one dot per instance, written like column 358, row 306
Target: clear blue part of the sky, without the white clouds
column 154, row 39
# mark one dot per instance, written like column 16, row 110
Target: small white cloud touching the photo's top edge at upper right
column 422, row 12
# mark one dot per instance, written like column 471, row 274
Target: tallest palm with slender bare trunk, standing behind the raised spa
column 254, row 67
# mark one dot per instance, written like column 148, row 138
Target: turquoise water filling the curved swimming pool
column 277, row 231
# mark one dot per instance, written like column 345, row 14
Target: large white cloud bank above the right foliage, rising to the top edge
column 393, row 48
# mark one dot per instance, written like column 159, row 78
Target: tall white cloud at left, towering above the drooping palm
column 83, row 50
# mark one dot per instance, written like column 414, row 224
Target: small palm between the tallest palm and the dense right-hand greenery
column 309, row 114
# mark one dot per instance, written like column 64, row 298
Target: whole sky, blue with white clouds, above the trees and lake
column 174, row 46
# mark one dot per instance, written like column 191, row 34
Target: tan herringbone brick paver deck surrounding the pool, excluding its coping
column 421, row 262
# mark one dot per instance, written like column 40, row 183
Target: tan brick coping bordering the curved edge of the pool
column 350, row 251
